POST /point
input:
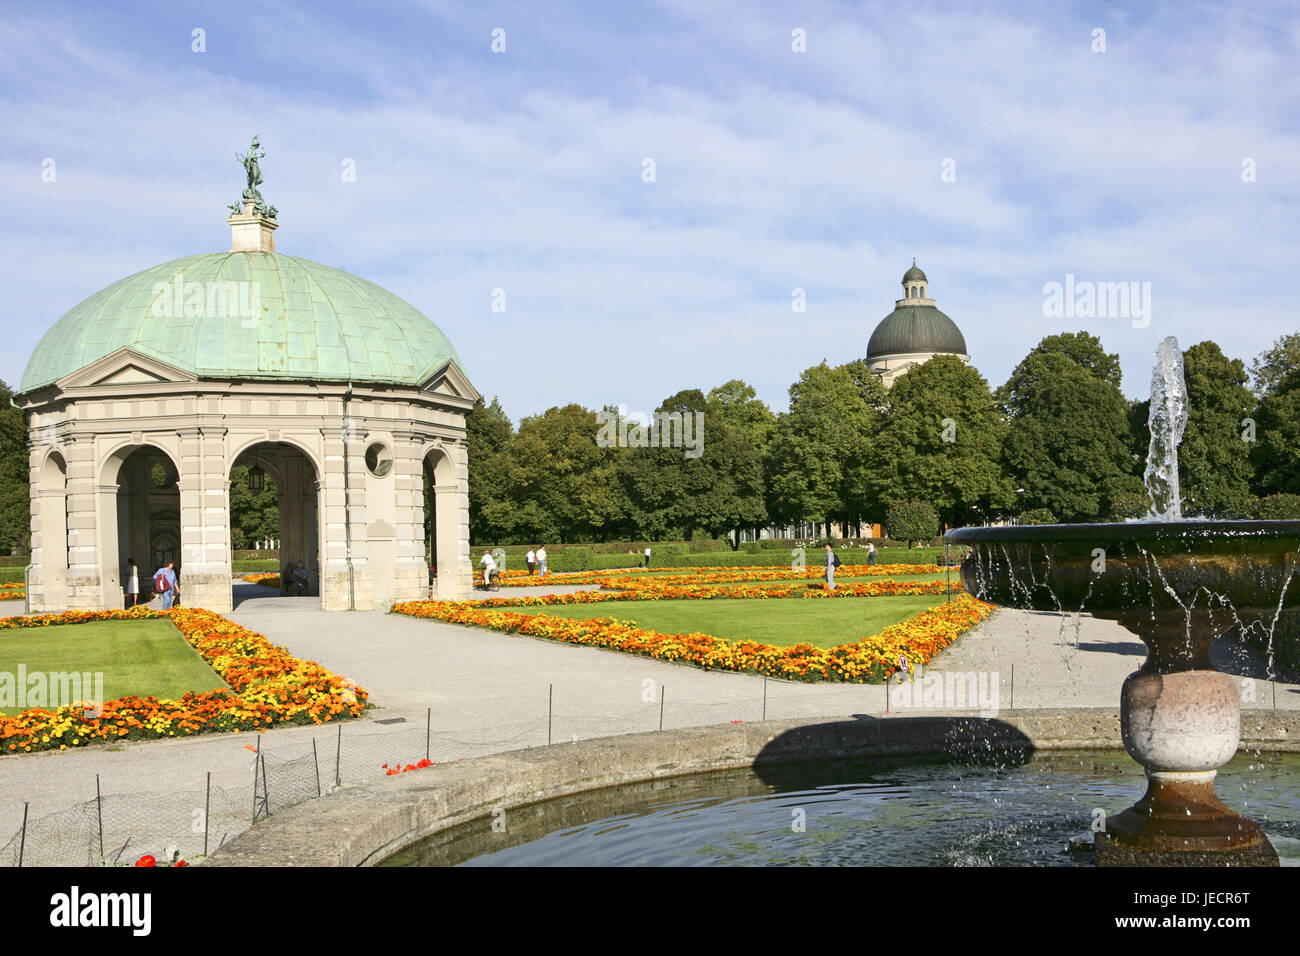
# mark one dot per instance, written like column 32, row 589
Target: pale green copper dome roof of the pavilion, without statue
column 281, row 318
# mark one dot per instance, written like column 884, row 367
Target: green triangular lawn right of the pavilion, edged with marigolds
column 824, row 622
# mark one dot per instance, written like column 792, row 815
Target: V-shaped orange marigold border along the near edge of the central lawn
column 872, row 660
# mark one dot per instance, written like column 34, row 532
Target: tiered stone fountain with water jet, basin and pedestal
column 1178, row 585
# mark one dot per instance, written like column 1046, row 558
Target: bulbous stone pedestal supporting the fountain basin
column 1182, row 721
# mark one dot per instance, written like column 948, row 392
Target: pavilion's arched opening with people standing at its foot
column 141, row 521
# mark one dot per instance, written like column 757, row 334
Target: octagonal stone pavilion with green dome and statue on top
column 145, row 397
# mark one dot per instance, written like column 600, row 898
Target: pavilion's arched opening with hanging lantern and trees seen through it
column 275, row 494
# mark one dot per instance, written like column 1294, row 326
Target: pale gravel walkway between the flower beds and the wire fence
column 489, row 693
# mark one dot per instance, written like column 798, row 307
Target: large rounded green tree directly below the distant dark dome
column 942, row 443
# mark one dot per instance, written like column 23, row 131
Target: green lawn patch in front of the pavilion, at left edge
column 137, row 657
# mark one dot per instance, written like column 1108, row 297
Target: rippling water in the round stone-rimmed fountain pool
column 864, row 814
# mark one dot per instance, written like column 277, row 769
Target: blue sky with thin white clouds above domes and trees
column 1006, row 146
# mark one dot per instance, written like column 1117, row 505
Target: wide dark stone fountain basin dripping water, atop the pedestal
column 1119, row 569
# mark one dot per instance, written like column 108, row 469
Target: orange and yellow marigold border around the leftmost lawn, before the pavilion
column 270, row 686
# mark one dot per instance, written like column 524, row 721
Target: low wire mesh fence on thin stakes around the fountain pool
column 119, row 829
